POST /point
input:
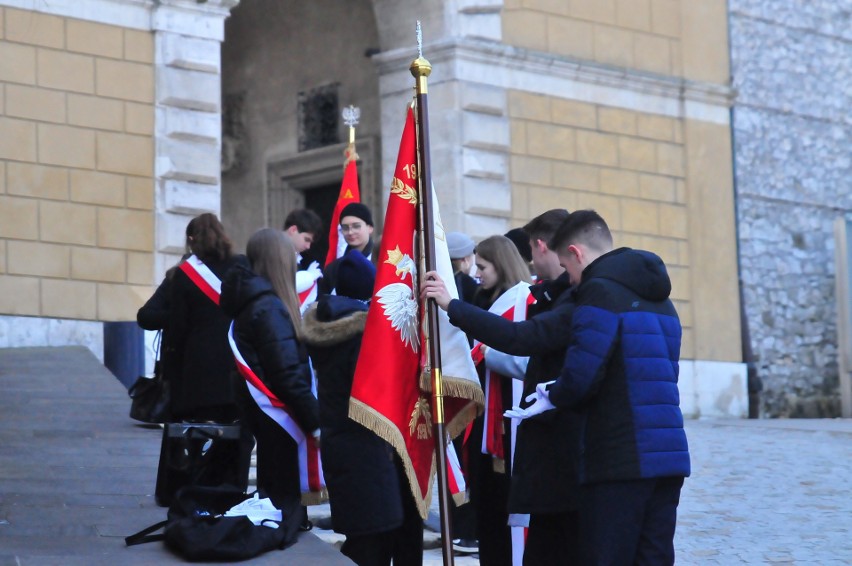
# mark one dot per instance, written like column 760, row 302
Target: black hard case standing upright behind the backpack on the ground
column 199, row 454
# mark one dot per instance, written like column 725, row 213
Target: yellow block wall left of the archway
column 76, row 167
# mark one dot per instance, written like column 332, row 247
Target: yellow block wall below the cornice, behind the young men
column 658, row 188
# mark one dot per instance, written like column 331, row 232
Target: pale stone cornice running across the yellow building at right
column 515, row 68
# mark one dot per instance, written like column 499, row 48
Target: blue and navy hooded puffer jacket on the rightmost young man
column 621, row 371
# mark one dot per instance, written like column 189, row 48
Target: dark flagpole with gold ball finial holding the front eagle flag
column 420, row 69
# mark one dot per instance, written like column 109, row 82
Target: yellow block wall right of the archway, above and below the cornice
column 663, row 184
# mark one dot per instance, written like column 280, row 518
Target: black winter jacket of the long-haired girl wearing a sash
column 267, row 340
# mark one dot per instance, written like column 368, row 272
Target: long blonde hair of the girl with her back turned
column 271, row 255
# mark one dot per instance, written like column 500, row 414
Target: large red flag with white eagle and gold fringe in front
column 388, row 395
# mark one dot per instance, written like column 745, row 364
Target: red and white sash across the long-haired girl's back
column 311, row 478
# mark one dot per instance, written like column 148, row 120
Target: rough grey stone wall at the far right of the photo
column 790, row 66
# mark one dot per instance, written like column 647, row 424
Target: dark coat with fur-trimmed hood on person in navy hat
column 360, row 468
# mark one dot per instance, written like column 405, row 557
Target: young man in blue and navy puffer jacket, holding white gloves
column 621, row 374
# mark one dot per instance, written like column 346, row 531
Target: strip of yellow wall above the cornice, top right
column 670, row 37
